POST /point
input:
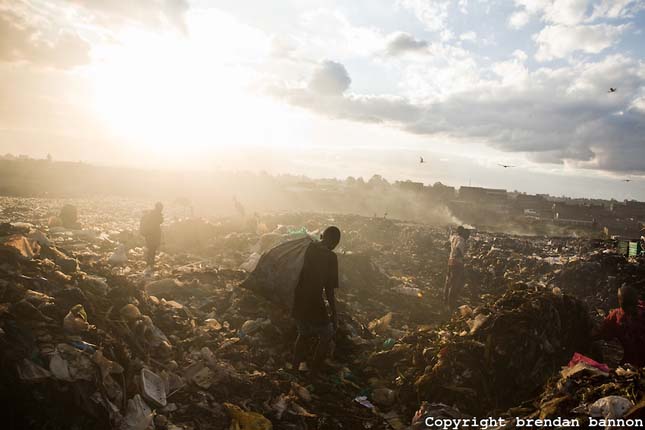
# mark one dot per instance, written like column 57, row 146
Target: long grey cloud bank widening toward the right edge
column 562, row 115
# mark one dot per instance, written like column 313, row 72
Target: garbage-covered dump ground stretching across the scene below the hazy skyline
column 89, row 339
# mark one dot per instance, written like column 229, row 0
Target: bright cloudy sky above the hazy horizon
column 335, row 88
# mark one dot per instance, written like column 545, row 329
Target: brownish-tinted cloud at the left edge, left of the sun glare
column 21, row 40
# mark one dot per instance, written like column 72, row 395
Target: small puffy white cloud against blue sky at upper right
column 559, row 41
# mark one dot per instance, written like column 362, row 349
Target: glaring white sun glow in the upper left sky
column 174, row 93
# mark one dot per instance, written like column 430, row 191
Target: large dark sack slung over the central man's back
column 278, row 271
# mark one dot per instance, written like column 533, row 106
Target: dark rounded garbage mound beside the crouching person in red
column 506, row 352
